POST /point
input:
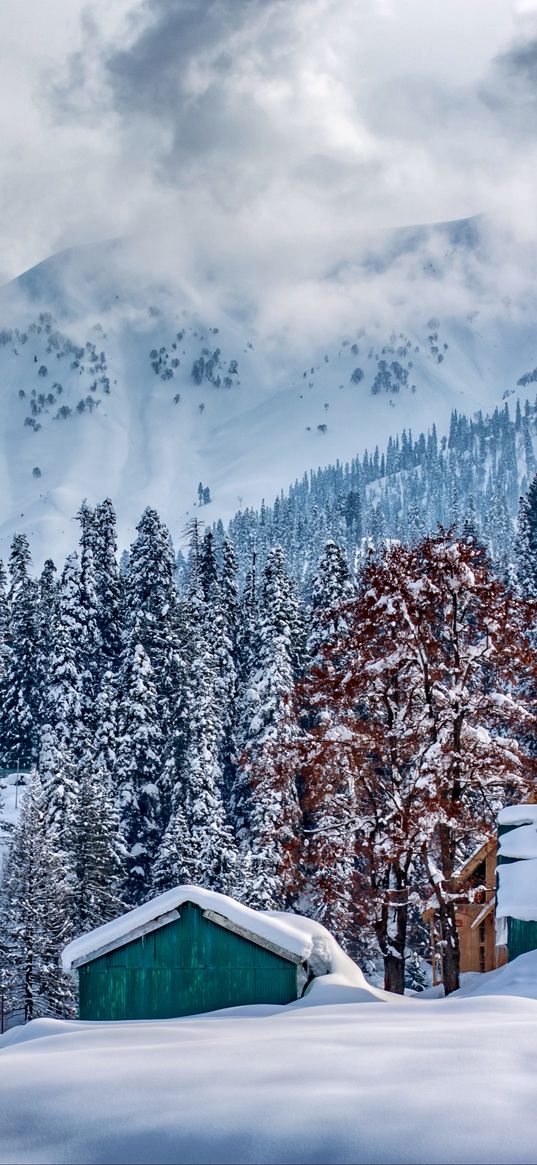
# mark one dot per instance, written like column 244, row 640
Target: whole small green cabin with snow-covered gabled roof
column 187, row 952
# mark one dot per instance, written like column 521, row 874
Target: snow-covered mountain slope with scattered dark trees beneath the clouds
column 118, row 380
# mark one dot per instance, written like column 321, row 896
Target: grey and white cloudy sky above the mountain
column 275, row 130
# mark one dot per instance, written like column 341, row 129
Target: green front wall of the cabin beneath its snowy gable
column 189, row 966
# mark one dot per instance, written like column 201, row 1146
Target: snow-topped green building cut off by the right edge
column 517, row 896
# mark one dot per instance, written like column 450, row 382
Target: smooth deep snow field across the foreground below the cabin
column 343, row 1076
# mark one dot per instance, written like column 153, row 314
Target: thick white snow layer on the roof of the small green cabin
column 299, row 936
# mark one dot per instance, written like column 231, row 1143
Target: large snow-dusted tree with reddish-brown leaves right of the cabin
column 416, row 738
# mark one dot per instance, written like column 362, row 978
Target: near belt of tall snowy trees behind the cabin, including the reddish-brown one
column 340, row 757
